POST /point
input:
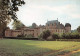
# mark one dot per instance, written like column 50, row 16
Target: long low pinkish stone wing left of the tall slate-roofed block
column 15, row 33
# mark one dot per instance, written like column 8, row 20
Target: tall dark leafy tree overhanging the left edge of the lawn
column 8, row 9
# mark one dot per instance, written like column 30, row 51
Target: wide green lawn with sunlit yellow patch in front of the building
column 11, row 47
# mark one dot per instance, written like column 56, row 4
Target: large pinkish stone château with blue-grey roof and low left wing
column 54, row 26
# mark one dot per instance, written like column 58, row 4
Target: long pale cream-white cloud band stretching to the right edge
column 65, row 9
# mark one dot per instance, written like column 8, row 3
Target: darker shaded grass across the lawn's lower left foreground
column 28, row 50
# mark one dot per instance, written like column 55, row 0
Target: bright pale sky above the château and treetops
column 41, row 11
